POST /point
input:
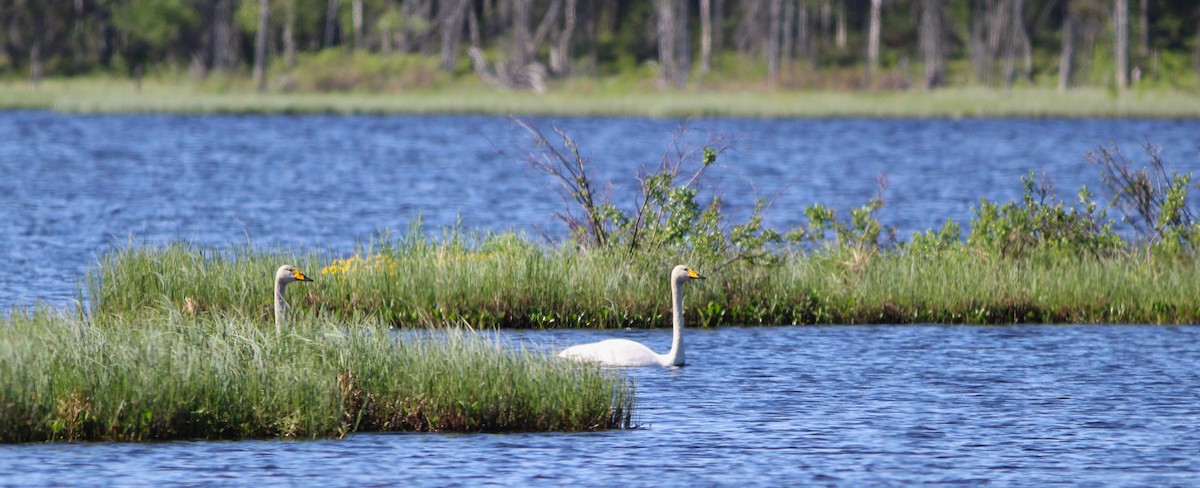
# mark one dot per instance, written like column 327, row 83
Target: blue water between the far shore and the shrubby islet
column 73, row 186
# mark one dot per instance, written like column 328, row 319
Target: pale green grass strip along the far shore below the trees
column 592, row 98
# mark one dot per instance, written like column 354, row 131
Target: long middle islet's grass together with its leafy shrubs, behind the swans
column 1039, row 260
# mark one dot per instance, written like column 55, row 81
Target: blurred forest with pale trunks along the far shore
column 525, row 44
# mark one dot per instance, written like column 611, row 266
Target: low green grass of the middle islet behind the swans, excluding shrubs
column 506, row 281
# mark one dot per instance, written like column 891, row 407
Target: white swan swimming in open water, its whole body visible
column 629, row 353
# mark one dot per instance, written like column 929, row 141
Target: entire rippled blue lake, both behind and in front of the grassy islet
column 839, row 406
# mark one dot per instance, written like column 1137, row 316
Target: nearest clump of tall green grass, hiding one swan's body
column 221, row 377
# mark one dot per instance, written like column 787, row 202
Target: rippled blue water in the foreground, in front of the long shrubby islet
column 809, row 406
